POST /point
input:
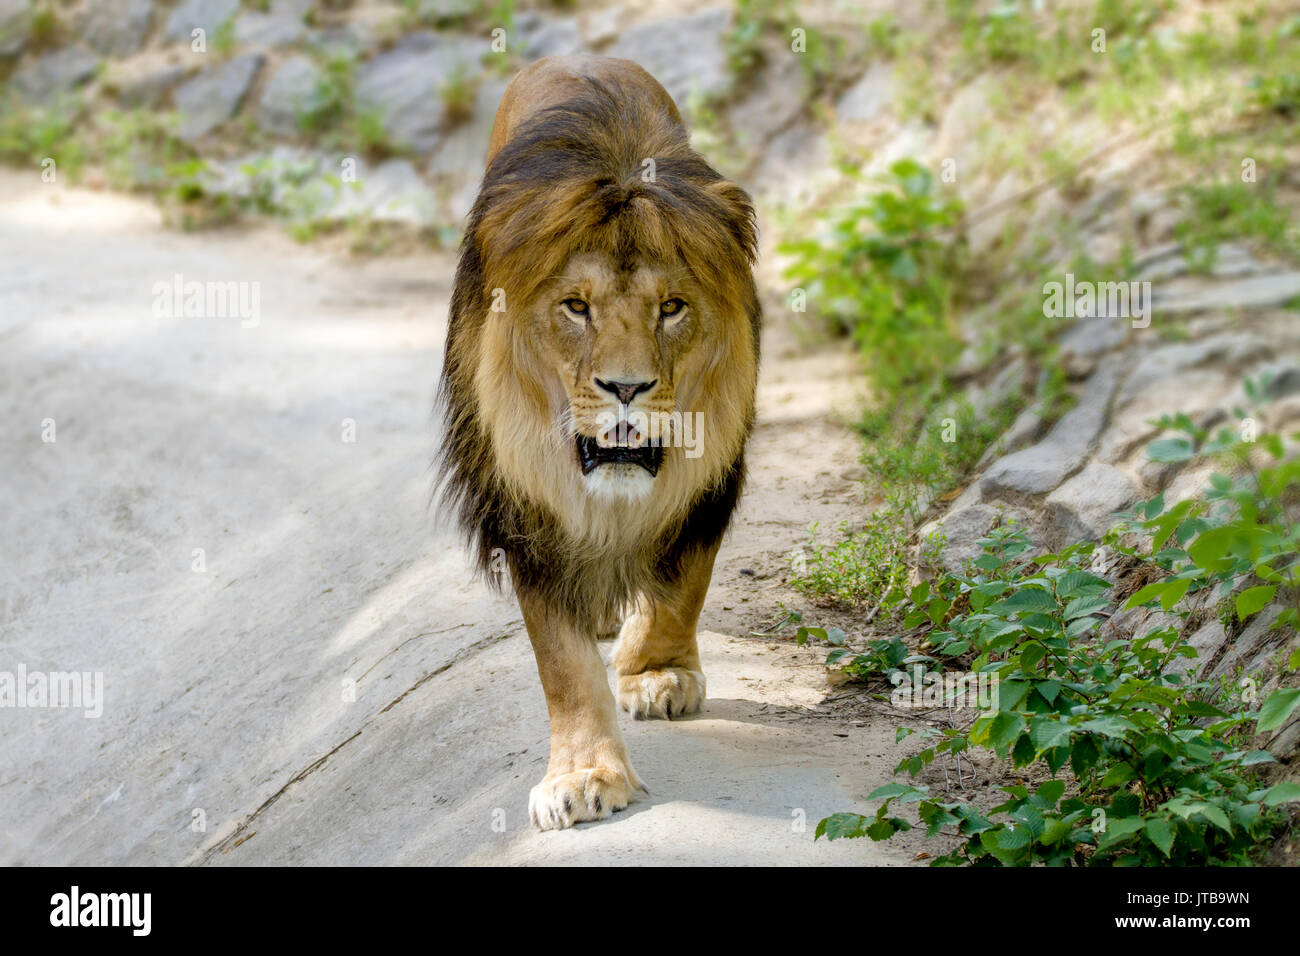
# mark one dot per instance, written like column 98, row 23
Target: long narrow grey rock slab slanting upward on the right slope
column 1042, row 469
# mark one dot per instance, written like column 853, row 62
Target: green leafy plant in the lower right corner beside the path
column 1149, row 765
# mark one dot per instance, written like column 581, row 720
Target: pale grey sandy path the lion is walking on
column 297, row 664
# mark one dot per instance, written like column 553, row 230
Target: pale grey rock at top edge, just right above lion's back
column 684, row 54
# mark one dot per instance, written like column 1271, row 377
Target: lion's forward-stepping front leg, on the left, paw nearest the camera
column 590, row 775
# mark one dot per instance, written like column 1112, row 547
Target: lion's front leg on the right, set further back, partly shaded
column 657, row 657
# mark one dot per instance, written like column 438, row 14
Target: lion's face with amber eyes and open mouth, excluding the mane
column 621, row 338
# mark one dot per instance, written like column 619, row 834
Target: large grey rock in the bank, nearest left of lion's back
column 405, row 86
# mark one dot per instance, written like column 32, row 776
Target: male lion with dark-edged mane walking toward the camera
column 599, row 386
